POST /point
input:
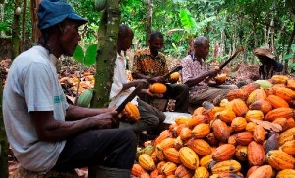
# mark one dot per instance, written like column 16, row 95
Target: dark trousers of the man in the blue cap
column 114, row 148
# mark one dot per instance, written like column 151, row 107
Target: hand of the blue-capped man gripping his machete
column 106, row 120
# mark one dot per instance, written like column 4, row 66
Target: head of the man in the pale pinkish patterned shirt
column 201, row 47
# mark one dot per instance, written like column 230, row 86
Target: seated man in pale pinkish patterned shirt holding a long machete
column 196, row 74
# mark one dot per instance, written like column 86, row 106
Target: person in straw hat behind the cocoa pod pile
column 269, row 65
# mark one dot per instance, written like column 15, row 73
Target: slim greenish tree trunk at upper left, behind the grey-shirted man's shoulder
column 16, row 30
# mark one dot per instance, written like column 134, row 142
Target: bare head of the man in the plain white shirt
column 125, row 37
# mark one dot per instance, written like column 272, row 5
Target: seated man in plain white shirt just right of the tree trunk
column 150, row 117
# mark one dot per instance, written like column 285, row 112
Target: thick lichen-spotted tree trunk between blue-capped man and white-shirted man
column 106, row 56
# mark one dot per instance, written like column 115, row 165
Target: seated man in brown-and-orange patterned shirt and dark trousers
column 150, row 64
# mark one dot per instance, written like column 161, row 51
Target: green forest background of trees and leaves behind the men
column 228, row 24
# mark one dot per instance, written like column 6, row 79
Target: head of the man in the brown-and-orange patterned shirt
column 156, row 42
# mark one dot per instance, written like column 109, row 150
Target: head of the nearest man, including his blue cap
column 59, row 24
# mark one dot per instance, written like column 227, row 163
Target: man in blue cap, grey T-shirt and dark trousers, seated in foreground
column 43, row 130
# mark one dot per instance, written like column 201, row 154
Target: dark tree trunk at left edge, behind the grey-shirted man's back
column 3, row 141
